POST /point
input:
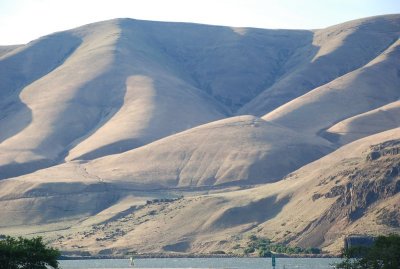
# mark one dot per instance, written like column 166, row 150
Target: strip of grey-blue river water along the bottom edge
column 233, row 263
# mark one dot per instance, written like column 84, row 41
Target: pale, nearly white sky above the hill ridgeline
column 24, row 20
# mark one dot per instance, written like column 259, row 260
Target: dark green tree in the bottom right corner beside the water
column 383, row 254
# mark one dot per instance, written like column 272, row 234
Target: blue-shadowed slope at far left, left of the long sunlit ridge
column 22, row 66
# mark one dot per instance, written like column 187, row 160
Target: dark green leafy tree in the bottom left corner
column 23, row 253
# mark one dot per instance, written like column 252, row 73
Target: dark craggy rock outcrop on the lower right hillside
column 372, row 180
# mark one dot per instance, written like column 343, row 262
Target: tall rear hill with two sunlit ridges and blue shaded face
column 112, row 86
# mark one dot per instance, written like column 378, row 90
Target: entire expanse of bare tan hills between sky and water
column 291, row 135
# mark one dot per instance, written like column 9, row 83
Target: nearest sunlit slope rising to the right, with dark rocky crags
column 353, row 190
